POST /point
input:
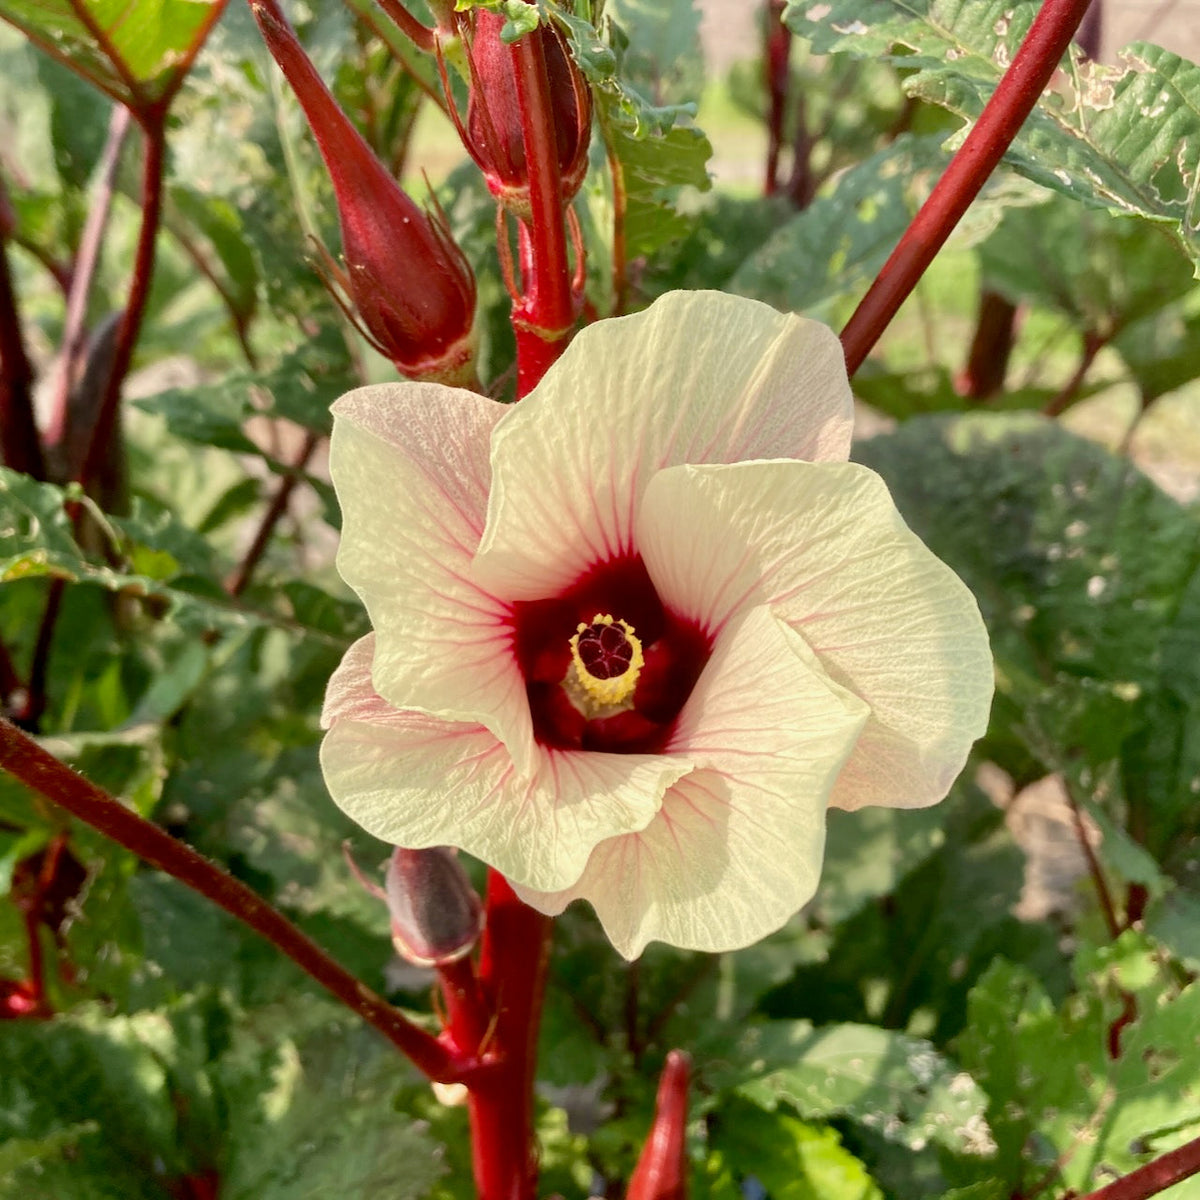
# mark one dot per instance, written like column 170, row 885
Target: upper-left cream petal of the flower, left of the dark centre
column 411, row 466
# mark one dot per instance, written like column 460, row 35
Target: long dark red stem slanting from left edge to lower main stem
column 40, row 771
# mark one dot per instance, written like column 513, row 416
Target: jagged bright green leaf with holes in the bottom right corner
column 1052, row 1077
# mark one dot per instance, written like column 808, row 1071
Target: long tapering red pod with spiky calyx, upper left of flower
column 411, row 285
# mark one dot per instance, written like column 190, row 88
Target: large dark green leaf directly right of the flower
column 1060, row 542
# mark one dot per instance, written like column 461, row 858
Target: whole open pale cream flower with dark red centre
column 634, row 635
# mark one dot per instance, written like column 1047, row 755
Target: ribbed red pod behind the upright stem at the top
column 494, row 135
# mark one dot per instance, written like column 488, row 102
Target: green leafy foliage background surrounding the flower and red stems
column 913, row 1034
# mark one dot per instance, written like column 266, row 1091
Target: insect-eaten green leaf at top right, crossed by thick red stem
column 1126, row 140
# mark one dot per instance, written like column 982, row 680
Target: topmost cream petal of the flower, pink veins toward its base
column 699, row 377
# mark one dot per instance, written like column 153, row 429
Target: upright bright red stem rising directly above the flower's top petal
column 547, row 313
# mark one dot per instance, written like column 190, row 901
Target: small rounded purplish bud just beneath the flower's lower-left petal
column 436, row 914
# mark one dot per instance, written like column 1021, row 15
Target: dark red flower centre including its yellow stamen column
column 607, row 665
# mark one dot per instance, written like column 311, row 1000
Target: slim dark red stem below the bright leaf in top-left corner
column 105, row 429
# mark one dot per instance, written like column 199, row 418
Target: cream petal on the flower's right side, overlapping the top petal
column 824, row 545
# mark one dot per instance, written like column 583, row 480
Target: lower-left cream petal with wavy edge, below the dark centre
column 415, row 781
